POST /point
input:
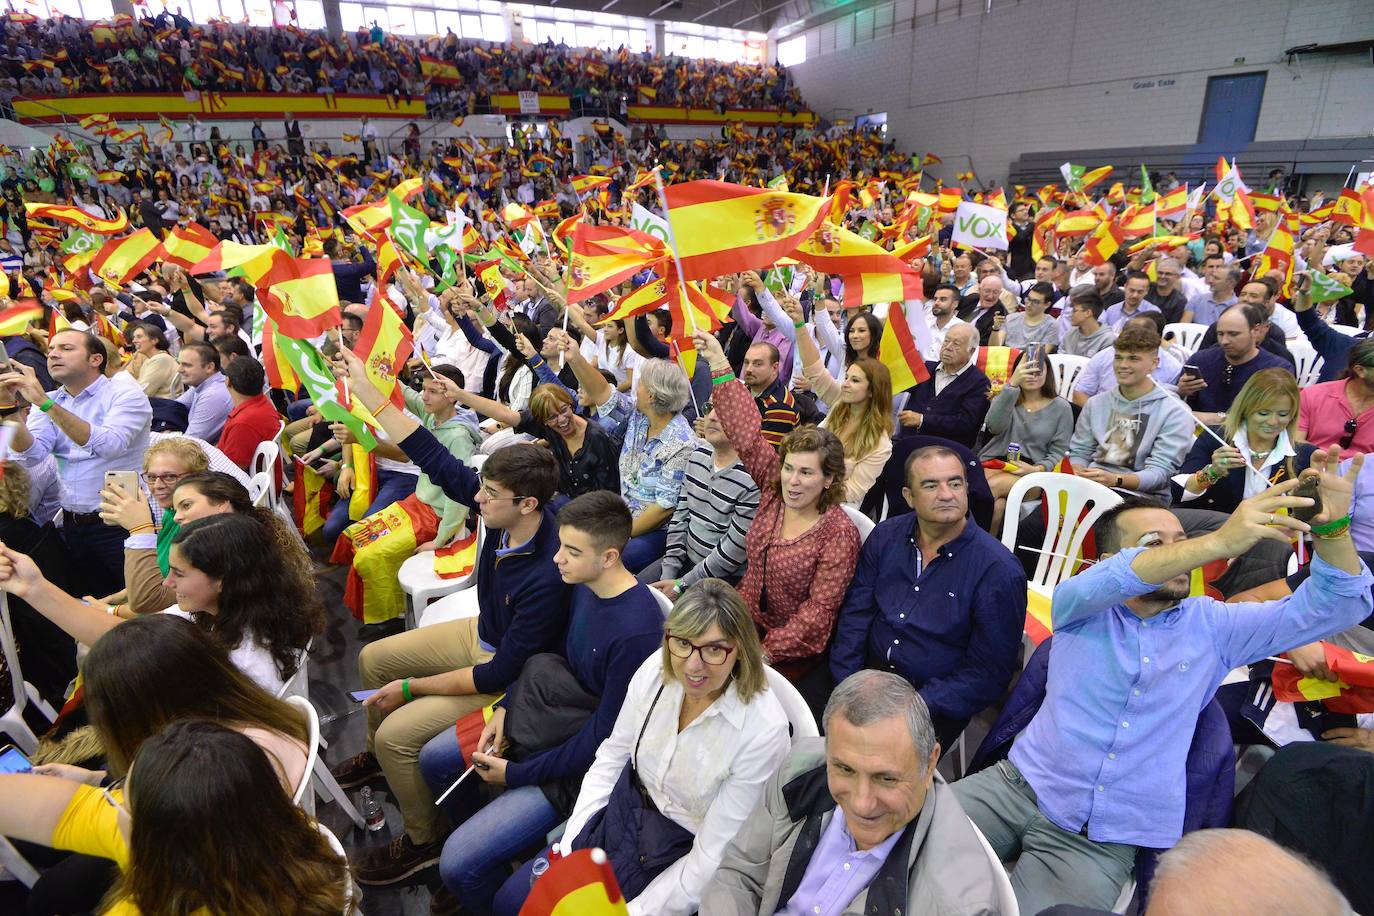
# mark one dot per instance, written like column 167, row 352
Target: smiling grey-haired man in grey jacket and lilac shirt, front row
column 899, row 843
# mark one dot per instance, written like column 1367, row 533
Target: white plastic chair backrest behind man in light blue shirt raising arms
column 1075, row 503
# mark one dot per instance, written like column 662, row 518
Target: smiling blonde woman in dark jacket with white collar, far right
column 1262, row 428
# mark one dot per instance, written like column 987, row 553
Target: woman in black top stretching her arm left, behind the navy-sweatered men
column 589, row 457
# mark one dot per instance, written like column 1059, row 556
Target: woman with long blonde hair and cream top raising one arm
column 861, row 407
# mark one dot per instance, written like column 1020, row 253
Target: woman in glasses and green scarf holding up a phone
column 148, row 547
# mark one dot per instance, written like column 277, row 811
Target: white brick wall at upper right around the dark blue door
column 1059, row 75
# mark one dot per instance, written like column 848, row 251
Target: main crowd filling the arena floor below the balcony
column 681, row 577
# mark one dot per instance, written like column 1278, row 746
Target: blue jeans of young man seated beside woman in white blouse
column 473, row 863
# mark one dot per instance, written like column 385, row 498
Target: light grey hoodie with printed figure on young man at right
column 1149, row 436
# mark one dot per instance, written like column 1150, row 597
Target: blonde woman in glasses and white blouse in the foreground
column 701, row 734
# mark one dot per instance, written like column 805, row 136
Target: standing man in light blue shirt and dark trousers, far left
column 91, row 425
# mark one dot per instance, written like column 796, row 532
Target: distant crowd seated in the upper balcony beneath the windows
column 167, row 53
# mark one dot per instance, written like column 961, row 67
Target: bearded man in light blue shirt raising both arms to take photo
column 1100, row 771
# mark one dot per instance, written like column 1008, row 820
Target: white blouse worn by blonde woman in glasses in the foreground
column 707, row 778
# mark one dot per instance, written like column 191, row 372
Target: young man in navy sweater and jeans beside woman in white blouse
column 615, row 626
